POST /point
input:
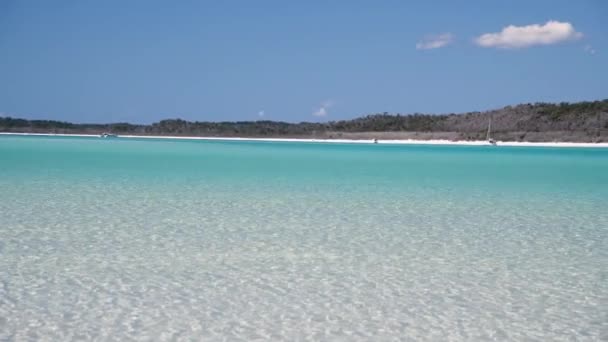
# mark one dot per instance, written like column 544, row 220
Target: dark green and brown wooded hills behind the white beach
column 586, row 121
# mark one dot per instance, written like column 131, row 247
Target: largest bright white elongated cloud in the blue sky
column 513, row 37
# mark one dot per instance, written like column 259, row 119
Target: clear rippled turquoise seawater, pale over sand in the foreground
column 135, row 239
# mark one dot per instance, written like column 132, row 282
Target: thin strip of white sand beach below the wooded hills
column 341, row 141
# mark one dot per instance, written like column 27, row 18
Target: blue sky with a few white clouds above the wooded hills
column 141, row 61
